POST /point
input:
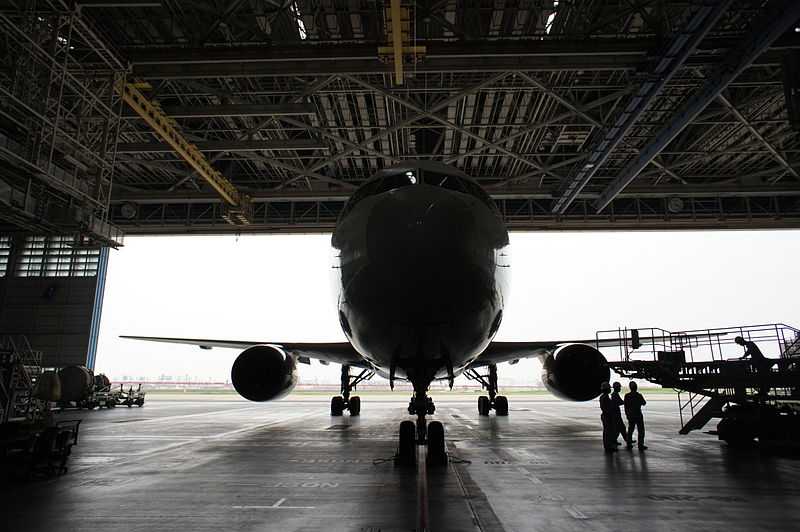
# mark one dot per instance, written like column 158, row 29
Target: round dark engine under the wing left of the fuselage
column 264, row 373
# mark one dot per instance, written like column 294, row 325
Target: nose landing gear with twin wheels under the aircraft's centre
column 421, row 433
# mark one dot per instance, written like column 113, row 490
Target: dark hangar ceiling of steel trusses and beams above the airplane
column 575, row 115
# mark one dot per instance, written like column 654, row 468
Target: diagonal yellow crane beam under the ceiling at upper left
column 237, row 209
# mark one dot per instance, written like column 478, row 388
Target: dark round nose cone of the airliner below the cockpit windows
column 421, row 234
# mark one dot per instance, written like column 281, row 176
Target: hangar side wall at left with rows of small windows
column 51, row 291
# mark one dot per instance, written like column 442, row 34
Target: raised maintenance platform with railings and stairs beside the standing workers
column 754, row 400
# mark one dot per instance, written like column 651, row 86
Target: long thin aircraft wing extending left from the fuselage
column 333, row 352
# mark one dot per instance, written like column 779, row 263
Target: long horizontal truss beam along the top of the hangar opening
column 626, row 214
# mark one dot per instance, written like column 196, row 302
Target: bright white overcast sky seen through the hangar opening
column 563, row 286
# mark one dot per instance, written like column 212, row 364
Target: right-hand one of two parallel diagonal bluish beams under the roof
column 733, row 65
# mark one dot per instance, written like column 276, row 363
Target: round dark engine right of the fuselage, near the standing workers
column 575, row 372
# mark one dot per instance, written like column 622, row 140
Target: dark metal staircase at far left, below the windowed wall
column 20, row 368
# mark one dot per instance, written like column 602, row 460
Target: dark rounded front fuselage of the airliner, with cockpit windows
column 421, row 265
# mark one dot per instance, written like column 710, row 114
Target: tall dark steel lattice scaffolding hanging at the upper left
column 57, row 164
